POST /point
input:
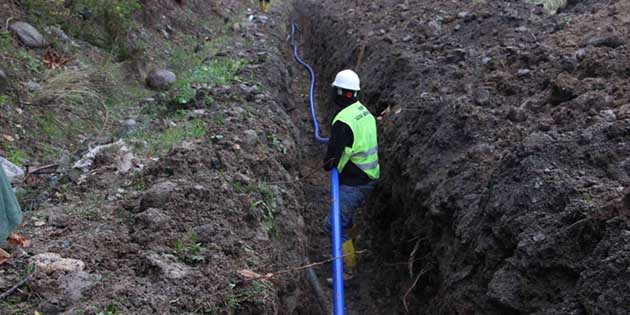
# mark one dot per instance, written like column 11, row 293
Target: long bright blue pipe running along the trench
column 338, row 295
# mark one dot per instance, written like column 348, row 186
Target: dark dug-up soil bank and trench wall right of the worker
column 504, row 146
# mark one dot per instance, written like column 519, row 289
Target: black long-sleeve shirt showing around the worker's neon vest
column 340, row 137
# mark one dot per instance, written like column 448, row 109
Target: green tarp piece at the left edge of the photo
column 10, row 212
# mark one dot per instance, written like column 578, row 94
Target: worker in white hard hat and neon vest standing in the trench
column 353, row 149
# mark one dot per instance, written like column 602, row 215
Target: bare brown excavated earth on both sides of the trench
column 503, row 138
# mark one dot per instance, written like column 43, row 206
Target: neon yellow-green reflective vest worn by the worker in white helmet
column 364, row 151
